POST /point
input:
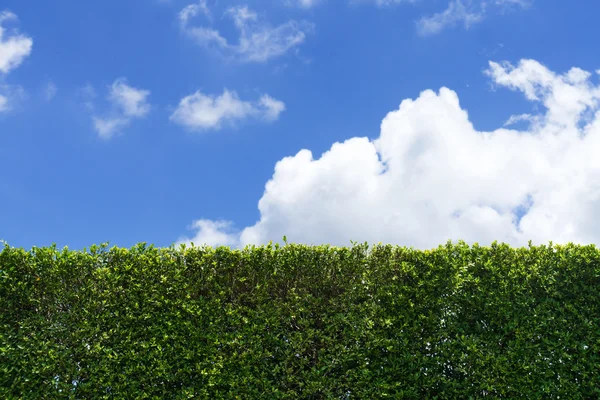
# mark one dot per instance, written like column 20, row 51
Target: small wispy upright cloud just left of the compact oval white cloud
column 127, row 104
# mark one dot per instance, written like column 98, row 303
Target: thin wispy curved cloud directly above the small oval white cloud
column 257, row 42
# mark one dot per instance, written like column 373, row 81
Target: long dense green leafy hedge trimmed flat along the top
column 299, row 322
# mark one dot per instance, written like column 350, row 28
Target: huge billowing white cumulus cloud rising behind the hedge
column 431, row 176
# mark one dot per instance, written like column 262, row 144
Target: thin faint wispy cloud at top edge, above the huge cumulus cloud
column 465, row 12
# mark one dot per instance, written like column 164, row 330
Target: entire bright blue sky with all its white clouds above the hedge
column 166, row 121
